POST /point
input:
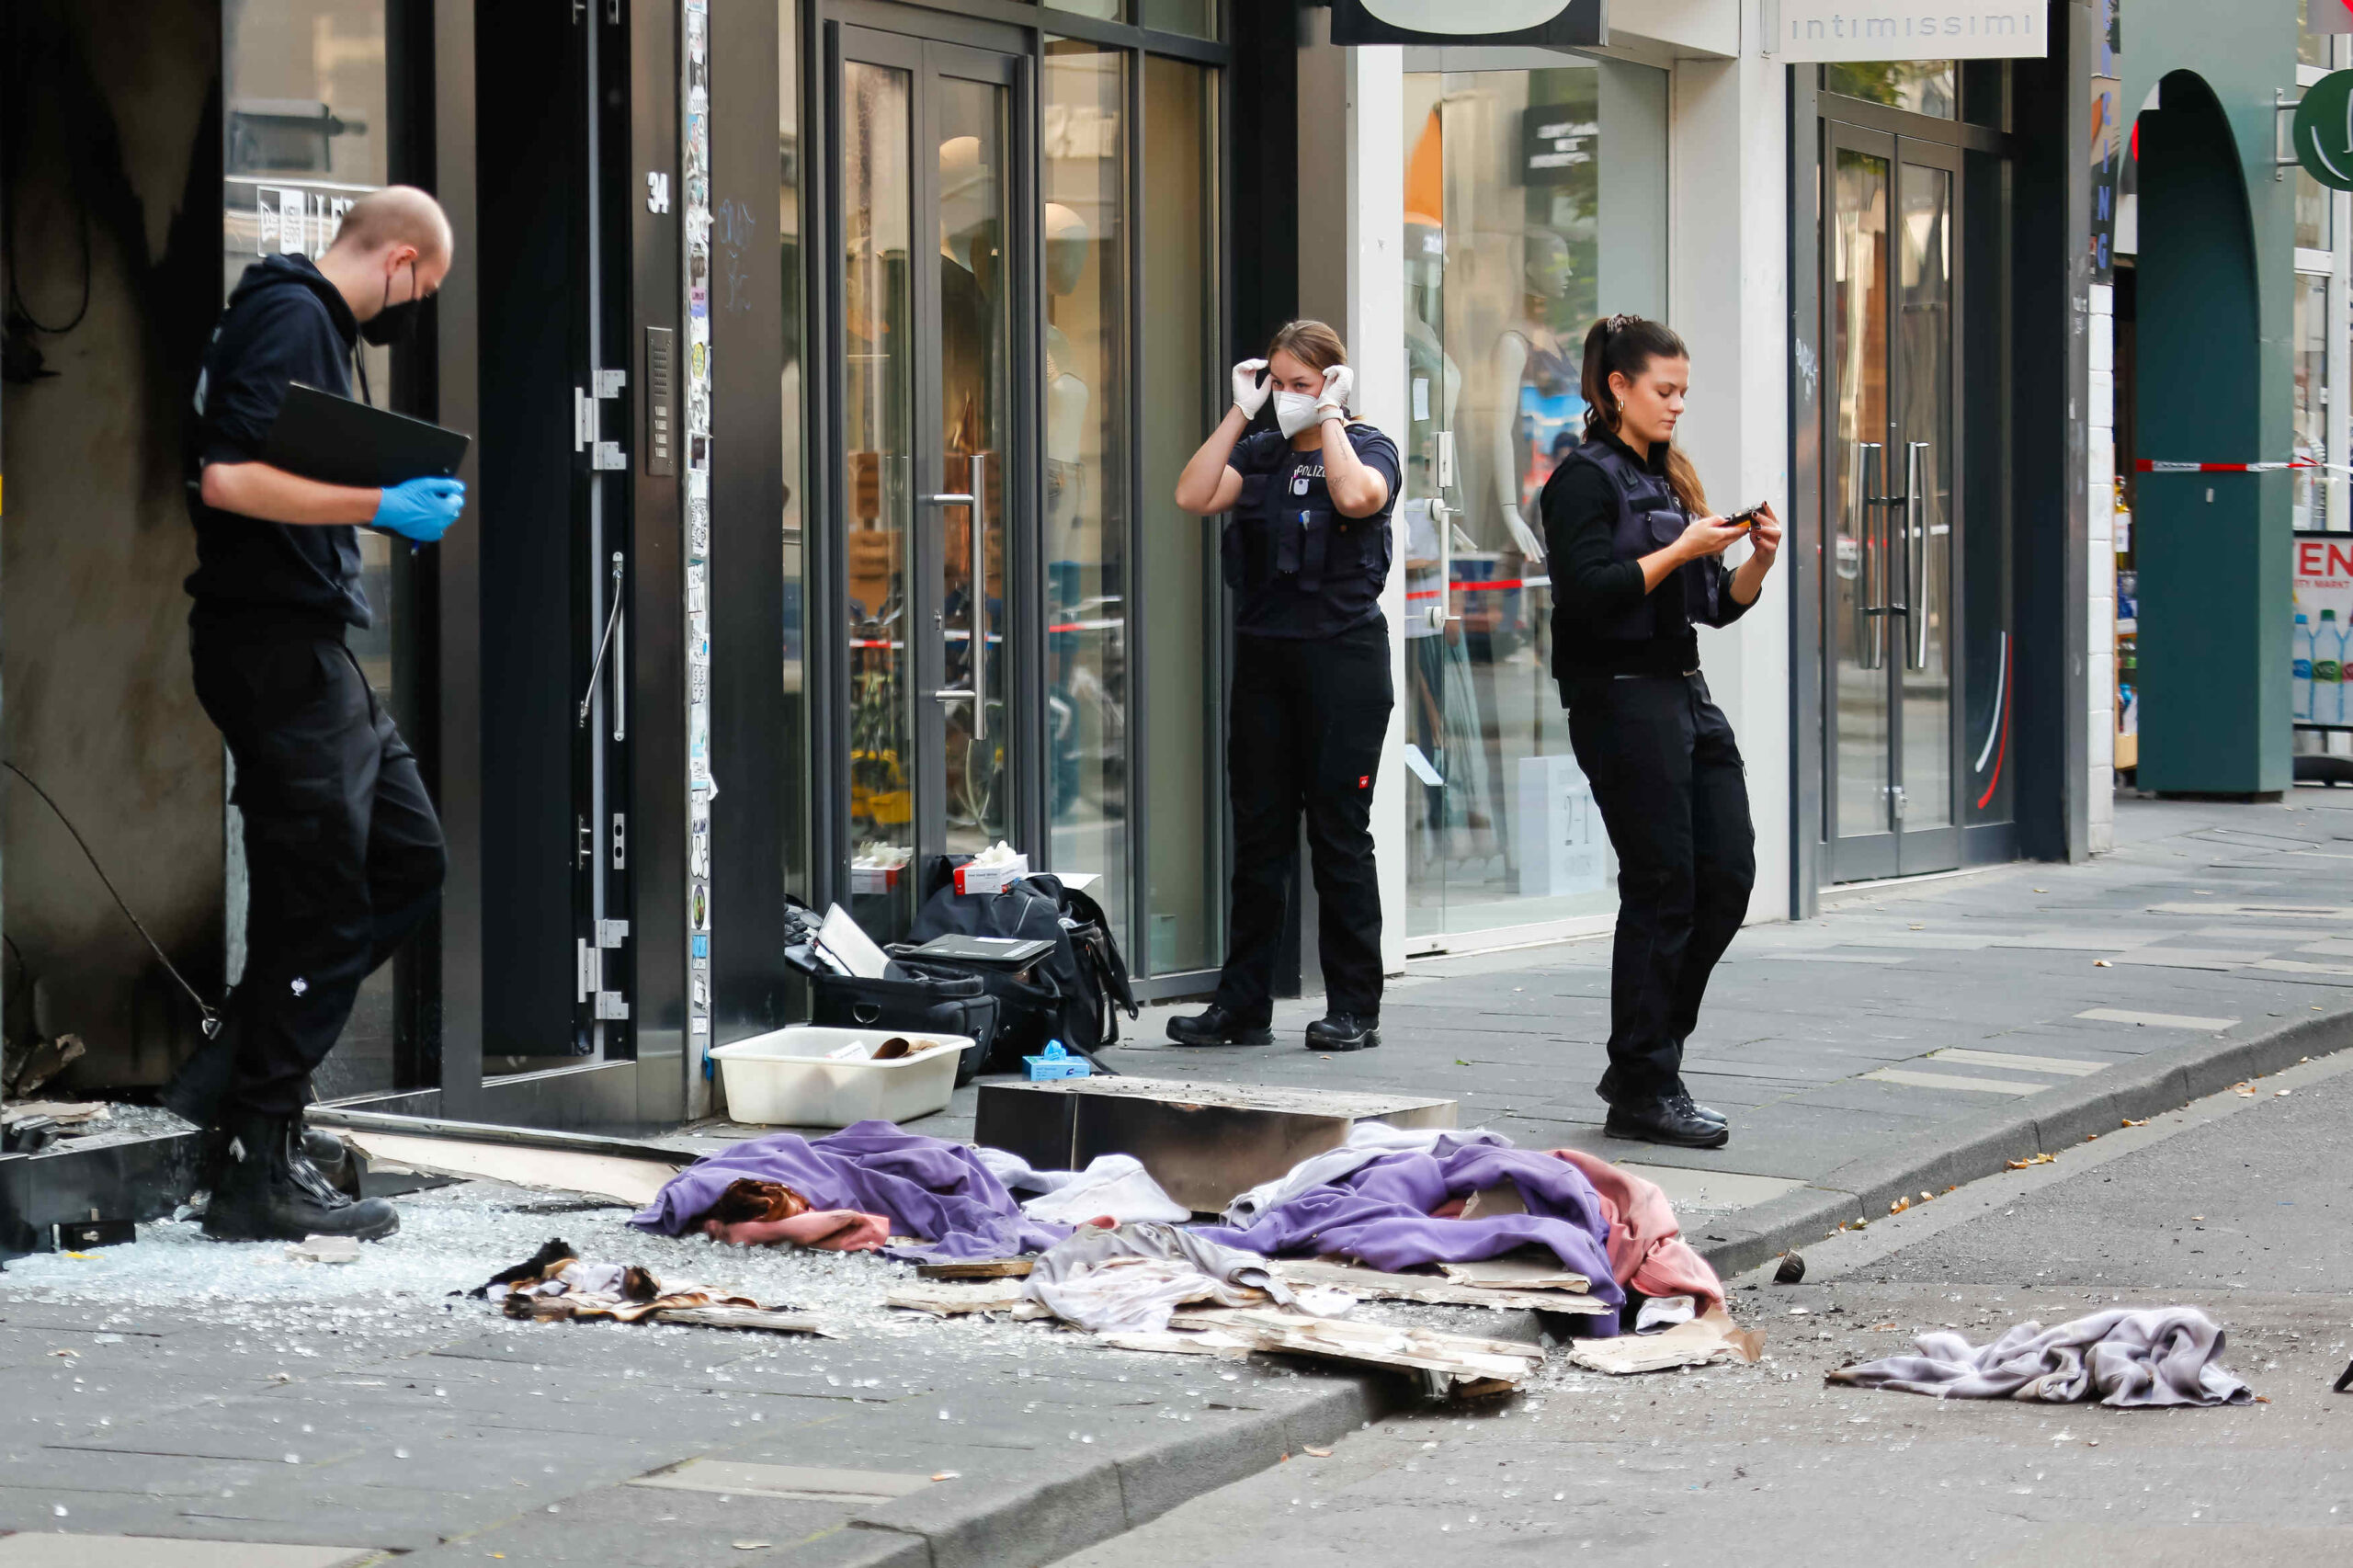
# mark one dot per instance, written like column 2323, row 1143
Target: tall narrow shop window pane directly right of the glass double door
column 1084, row 182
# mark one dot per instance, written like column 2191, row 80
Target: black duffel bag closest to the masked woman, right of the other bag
column 1069, row 995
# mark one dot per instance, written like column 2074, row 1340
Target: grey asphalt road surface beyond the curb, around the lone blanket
column 2237, row 1207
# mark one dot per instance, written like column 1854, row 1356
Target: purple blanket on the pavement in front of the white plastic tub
column 928, row 1188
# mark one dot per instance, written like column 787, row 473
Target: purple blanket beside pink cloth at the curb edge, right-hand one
column 1382, row 1216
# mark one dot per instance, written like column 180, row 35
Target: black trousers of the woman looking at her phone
column 1674, row 797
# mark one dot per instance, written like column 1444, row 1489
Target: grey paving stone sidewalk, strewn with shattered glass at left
column 1905, row 1025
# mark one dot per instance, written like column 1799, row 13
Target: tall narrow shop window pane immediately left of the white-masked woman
column 1178, row 554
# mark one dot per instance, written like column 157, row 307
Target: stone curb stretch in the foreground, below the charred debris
column 999, row 1522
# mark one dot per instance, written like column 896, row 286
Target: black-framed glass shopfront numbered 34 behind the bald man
column 829, row 368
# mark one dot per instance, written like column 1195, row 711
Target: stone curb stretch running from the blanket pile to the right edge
column 1982, row 1145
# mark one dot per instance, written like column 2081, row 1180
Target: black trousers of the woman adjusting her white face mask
column 1305, row 738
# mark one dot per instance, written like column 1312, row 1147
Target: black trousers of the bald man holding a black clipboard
column 342, row 849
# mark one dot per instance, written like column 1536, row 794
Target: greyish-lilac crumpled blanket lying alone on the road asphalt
column 2152, row 1357
